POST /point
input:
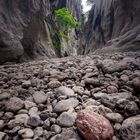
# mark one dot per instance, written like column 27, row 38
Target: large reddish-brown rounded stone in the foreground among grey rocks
column 94, row 126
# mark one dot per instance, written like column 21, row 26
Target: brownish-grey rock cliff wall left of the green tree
column 27, row 28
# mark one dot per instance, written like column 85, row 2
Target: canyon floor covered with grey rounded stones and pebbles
column 40, row 100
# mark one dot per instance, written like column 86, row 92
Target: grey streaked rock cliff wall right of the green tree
column 114, row 24
